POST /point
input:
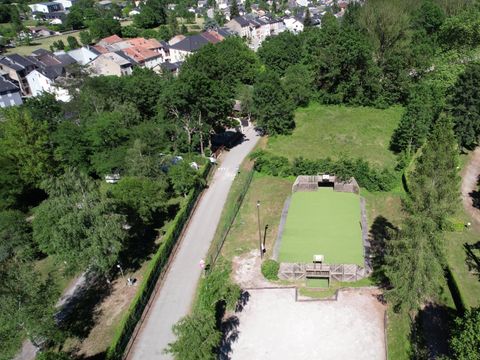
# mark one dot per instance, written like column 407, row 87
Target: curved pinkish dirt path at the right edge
column 469, row 184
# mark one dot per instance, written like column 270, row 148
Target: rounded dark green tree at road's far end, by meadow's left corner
column 273, row 108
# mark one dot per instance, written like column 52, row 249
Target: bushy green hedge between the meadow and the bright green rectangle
column 367, row 175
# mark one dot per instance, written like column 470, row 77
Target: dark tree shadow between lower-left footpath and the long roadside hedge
column 79, row 313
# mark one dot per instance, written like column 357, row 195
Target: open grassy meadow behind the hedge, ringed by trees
column 323, row 131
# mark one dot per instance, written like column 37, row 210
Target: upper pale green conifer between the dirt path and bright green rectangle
column 434, row 183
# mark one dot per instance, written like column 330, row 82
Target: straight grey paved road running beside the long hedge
column 174, row 299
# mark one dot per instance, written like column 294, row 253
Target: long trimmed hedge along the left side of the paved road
column 155, row 269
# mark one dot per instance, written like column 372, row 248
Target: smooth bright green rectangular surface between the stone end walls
column 323, row 222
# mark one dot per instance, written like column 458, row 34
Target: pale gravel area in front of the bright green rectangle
column 275, row 326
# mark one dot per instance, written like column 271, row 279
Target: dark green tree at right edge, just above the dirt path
column 464, row 106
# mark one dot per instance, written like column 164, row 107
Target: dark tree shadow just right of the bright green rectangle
column 381, row 231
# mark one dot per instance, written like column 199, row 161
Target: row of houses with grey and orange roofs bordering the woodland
column 45, row 71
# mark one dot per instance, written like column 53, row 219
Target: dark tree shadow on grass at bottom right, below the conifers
column 431, row 332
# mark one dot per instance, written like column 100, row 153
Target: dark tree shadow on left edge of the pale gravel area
column 229, row 328
